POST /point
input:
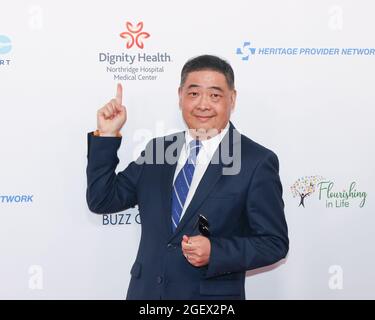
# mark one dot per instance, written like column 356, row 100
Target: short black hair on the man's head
column 208, row 62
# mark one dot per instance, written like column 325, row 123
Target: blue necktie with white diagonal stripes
column 182, row 183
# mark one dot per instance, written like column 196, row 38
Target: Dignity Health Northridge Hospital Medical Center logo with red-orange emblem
column 134, row 63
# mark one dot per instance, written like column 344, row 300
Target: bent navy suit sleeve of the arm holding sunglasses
column 268, row 240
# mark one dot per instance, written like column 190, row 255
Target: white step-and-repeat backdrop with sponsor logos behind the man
column 305, row 81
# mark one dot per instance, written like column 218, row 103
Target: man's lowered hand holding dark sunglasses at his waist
column 196, row 249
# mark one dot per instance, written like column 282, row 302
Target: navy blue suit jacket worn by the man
column 245, row 212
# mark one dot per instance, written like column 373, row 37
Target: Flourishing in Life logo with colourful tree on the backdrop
column 327, row 191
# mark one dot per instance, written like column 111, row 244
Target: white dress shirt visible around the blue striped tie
column 204, row 157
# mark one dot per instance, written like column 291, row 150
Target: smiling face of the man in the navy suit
column 206, row 100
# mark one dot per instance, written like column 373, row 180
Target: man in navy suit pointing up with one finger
column 209, row 198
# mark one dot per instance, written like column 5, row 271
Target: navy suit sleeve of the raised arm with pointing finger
column 108, row 192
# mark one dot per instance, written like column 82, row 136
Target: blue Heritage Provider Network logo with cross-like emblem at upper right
column 246, row 50
